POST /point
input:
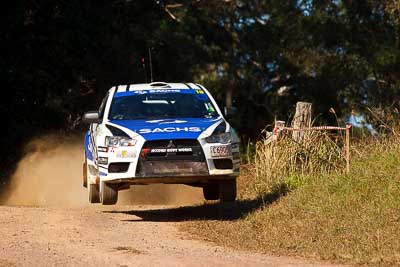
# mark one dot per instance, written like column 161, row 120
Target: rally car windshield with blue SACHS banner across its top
column 137, row 105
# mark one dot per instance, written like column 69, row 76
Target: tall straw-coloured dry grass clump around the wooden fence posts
column 289, row 162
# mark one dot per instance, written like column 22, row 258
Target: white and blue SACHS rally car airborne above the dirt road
column 171, row 133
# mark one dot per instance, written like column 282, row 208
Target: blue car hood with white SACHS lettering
column 177, row 128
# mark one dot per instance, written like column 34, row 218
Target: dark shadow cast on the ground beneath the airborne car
column 206, row 211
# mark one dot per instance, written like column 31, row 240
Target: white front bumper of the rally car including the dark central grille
column 140, row 165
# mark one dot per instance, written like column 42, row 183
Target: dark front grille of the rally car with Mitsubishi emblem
column 180, row 157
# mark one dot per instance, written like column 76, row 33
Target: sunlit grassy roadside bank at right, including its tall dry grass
column 322, row 213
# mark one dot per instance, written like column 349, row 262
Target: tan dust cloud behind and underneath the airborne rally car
column 50, row 174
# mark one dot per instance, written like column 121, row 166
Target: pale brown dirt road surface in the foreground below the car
column 117, row 236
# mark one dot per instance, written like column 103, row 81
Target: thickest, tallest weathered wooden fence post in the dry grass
column 302, row 119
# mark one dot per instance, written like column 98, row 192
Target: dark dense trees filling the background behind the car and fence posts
column 59, row 57
